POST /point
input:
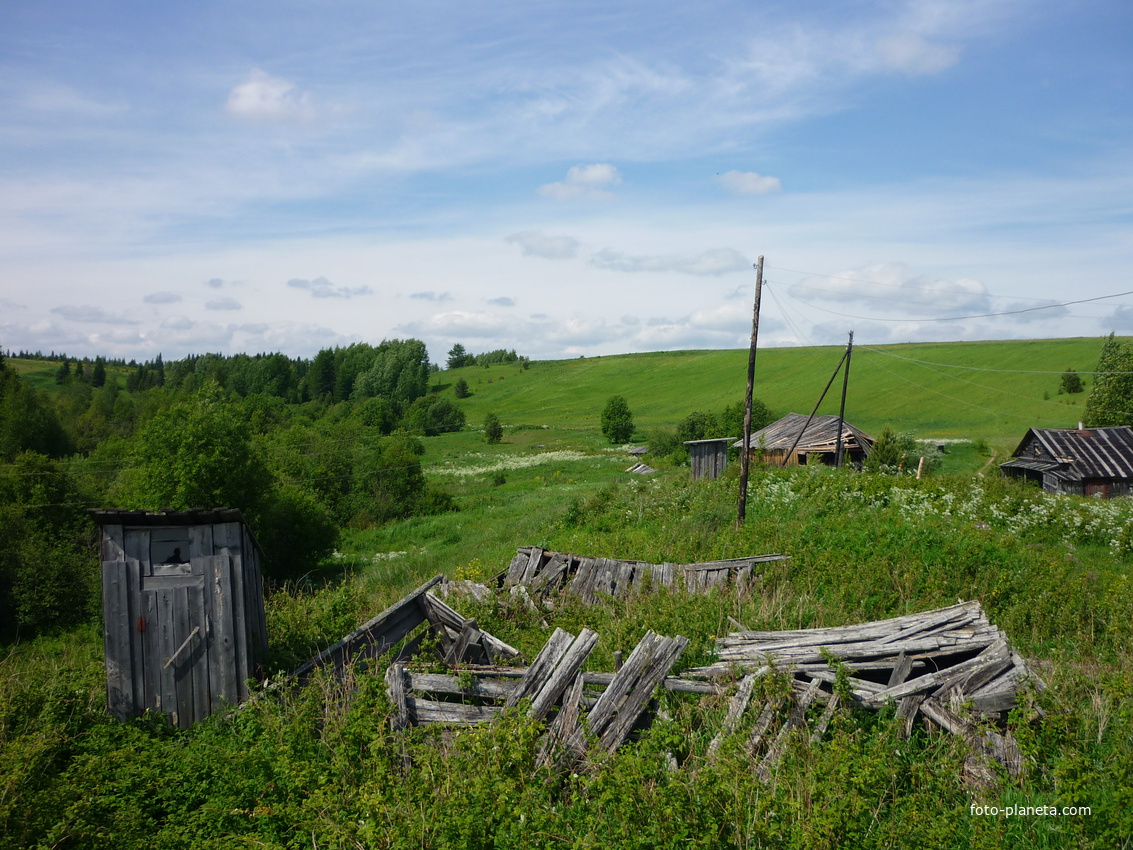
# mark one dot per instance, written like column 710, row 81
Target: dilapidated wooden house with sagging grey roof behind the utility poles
column 817, row 444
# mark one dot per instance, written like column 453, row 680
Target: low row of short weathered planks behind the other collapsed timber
column 544, row 572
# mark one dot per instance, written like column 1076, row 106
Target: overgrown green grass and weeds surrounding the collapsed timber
column 320, row 768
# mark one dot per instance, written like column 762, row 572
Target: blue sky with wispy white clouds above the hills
column 563, row 180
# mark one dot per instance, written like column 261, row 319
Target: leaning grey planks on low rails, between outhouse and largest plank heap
column 555, row 684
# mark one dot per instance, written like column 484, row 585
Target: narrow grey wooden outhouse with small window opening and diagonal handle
column 183, row 608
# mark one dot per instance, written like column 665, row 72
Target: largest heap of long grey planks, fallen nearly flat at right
column 950, row 666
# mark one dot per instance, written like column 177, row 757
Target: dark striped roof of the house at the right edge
column 1080, row 453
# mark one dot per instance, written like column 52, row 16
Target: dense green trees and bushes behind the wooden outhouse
column 303, row 448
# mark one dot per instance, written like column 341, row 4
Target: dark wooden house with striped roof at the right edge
column 1080, row 462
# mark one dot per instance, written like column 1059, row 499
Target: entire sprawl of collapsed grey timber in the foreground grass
column 951, row 667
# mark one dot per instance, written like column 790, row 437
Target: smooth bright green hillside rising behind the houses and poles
column 897, row 386
